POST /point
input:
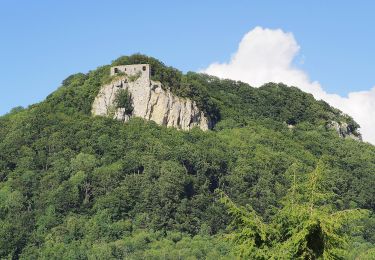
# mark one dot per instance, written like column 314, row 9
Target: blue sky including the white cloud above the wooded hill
column 327, row 47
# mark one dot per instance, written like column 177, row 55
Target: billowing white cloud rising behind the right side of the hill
column 266, row 55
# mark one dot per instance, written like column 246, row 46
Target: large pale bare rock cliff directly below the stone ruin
column 151, row 102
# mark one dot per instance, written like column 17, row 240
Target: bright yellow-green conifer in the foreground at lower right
column 306, row 227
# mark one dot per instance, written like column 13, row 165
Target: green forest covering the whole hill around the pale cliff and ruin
column 74, row 186
